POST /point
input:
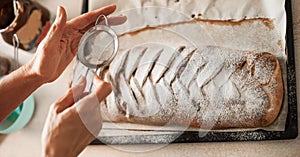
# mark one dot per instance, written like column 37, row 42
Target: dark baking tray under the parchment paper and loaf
column 291, row 126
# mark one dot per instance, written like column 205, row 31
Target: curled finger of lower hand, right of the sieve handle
column 103, row 89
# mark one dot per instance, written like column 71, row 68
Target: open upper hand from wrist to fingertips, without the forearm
column 60, row 45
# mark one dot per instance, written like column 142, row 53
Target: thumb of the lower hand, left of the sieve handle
column 71, row 96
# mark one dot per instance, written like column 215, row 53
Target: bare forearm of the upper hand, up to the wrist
column 16, row 87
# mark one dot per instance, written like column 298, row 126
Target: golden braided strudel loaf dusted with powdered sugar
column 211, row 87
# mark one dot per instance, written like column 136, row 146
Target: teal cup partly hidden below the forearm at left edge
column 19, row 117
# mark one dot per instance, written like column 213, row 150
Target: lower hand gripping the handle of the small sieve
column 71, row 126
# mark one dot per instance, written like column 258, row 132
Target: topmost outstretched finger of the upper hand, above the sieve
column 86, row 19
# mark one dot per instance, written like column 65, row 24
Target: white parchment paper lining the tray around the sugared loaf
column 175, row 24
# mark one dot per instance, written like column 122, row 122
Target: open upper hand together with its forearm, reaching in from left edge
column 53, row 55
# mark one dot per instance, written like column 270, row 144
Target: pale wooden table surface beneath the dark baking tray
column 27, row 141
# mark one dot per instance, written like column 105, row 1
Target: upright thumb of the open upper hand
column 56, row 31
